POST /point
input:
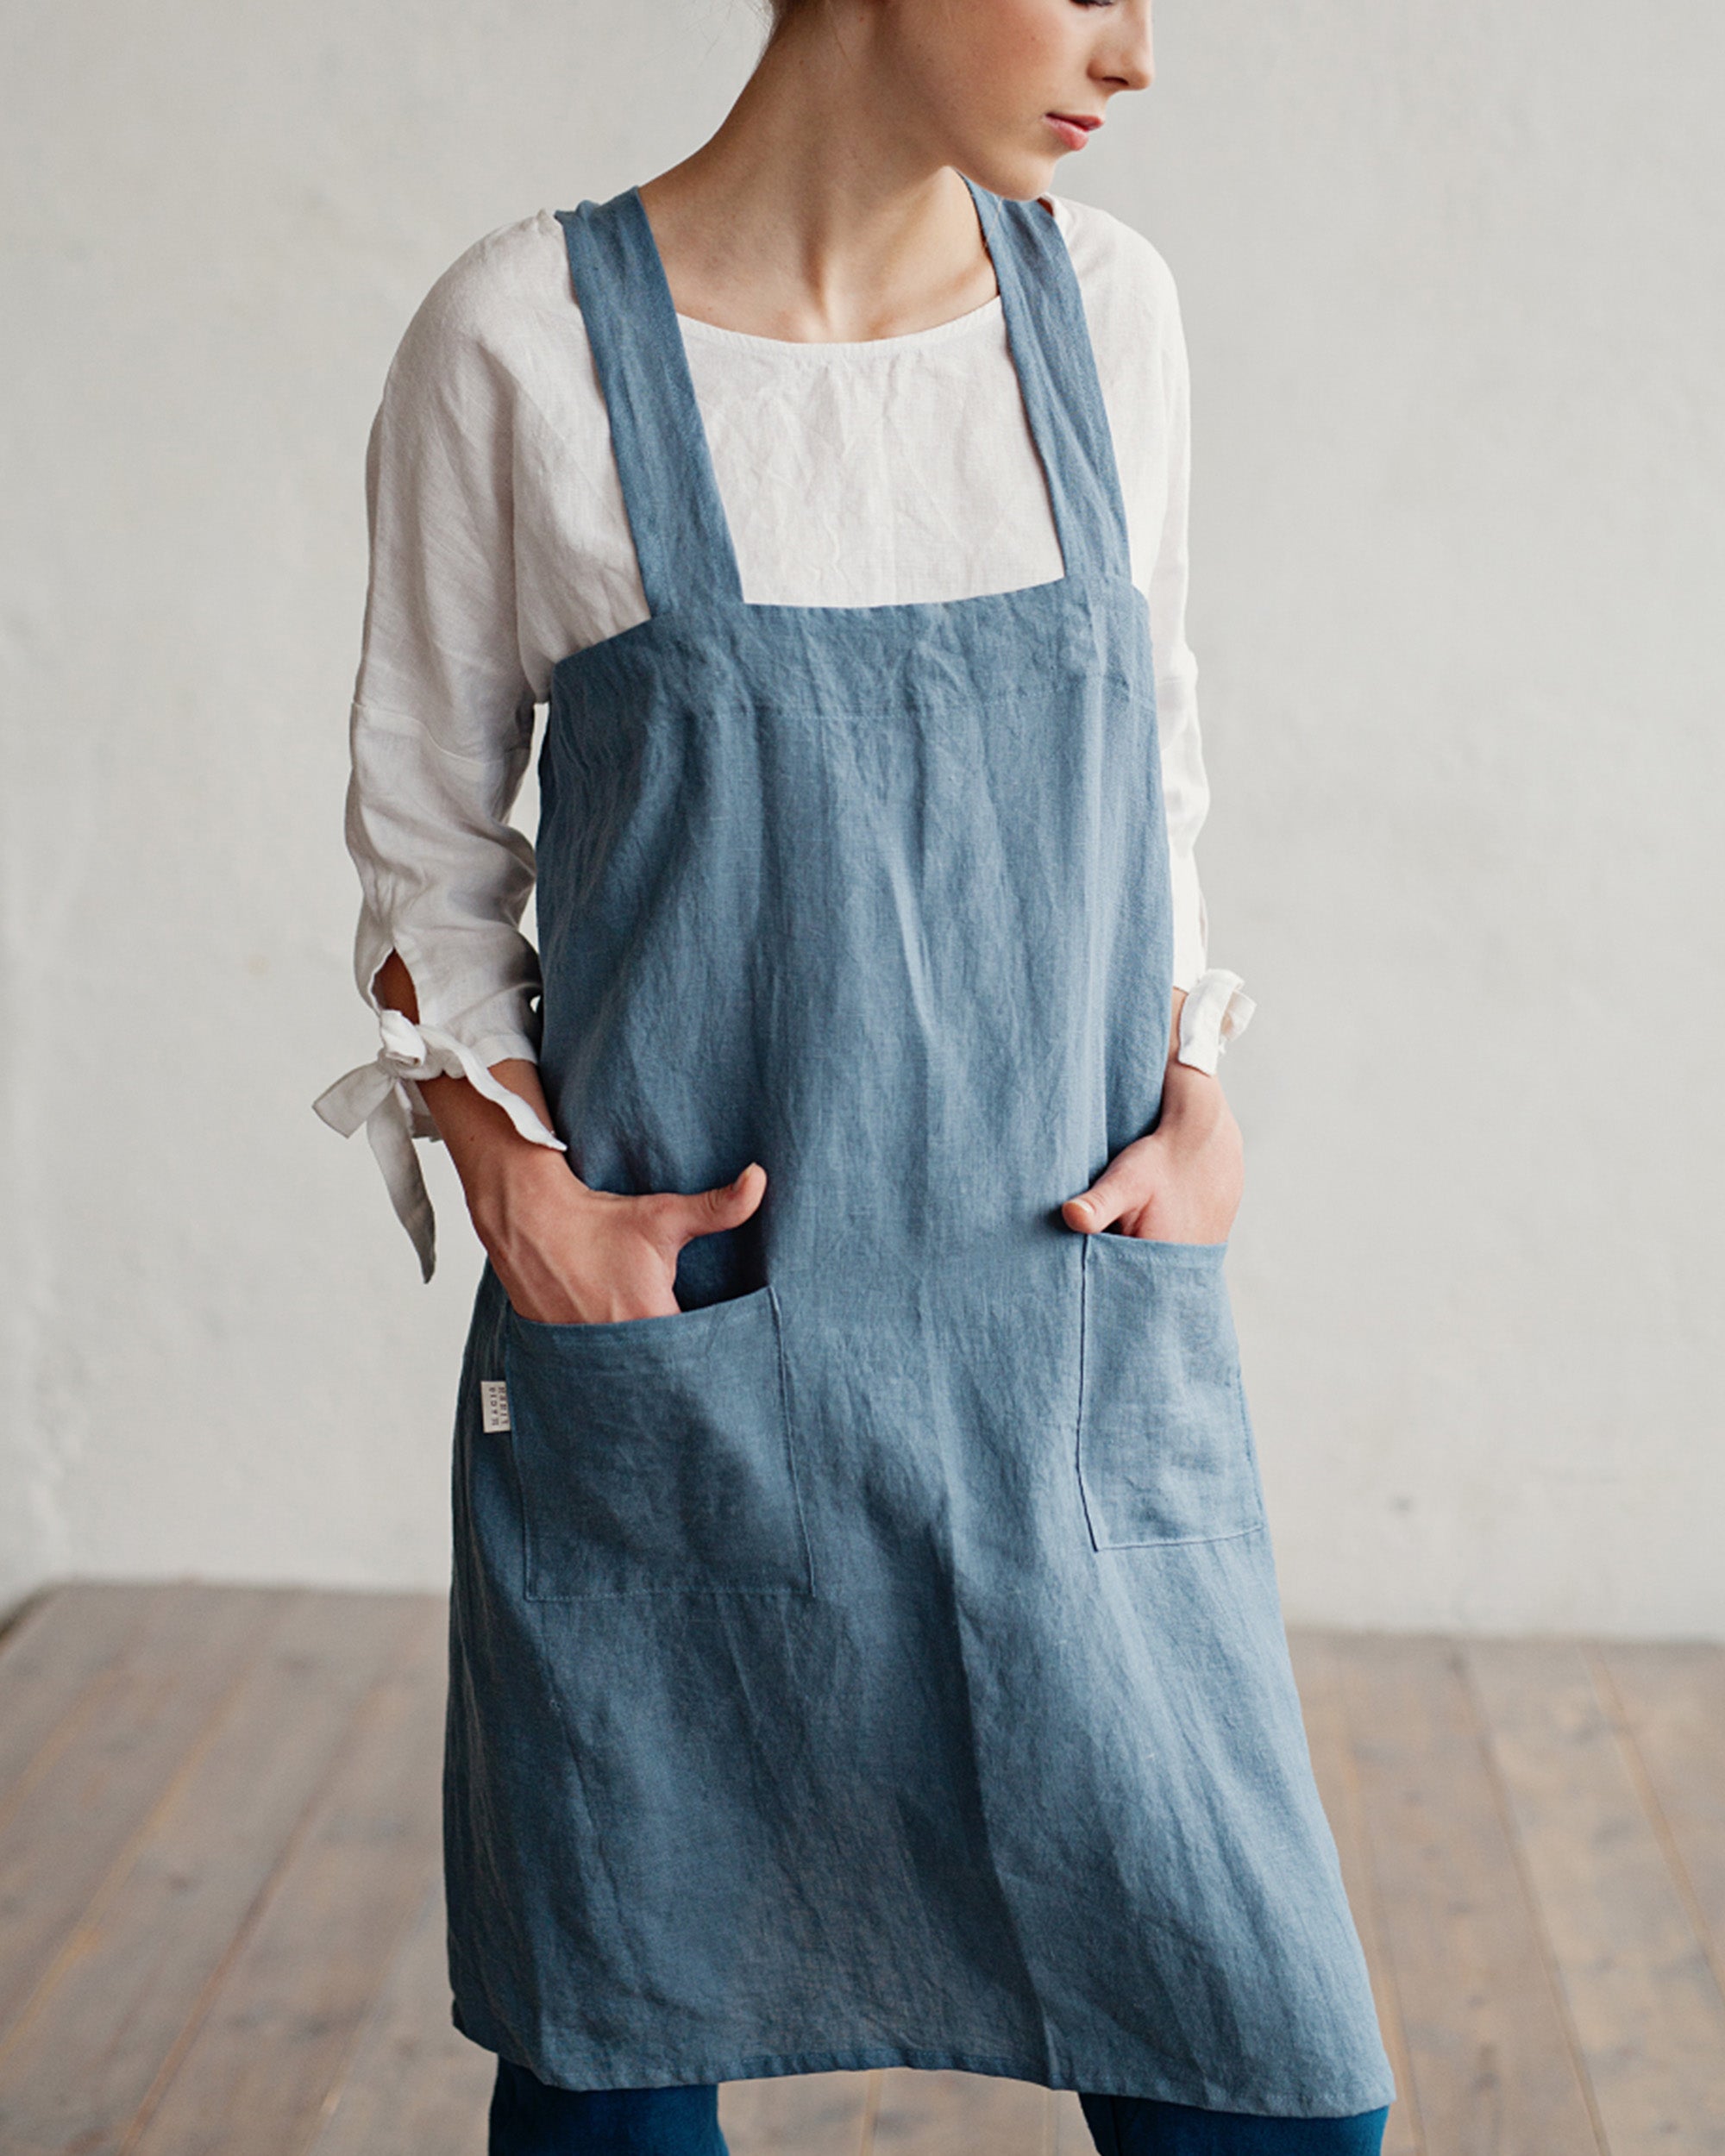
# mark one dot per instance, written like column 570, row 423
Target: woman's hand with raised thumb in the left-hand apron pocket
column 570, row 1256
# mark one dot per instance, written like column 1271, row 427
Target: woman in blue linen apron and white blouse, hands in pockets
column 866, row 1644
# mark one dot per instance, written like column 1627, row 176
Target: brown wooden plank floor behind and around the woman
column 221, row 1926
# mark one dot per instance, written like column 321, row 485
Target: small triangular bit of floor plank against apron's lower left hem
column 415, row 2086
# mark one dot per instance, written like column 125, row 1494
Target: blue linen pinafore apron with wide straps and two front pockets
column 881, row 1661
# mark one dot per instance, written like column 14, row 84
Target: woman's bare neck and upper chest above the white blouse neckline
column 818, row 212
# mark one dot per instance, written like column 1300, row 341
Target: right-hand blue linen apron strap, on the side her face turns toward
column 1051, row 346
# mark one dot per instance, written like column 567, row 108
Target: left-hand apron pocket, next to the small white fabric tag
column 657, row 1454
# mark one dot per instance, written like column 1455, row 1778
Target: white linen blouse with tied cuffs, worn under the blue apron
column 896, row 471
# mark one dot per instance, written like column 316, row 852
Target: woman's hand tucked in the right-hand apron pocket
column 1178, row 1185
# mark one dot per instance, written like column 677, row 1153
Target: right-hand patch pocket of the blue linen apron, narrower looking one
column 1165, row 1448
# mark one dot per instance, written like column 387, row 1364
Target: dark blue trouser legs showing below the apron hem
column 534, row 2120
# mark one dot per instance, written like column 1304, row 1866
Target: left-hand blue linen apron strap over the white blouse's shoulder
column 678, row 523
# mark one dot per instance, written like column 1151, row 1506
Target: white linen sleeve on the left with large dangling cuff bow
column 441, row 732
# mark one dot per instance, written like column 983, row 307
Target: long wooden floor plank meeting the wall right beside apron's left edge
column 256, row 2073
